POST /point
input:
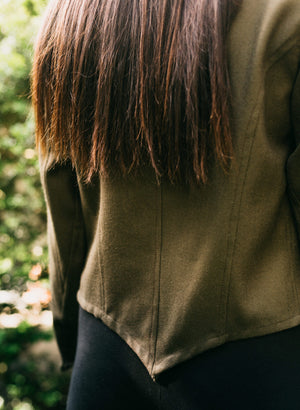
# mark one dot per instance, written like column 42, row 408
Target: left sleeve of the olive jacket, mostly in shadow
column 67, row 251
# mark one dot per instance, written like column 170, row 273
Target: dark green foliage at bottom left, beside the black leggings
column 28, row 383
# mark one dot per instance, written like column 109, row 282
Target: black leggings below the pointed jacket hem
column 261, row 373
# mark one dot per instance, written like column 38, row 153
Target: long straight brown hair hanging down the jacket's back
column 117, row 84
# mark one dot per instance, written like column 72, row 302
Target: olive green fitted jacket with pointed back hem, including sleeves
column 176, row 270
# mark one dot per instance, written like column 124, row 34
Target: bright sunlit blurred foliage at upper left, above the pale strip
column 22, row 214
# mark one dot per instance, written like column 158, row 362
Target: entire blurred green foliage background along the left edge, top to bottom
column 24, row 383
